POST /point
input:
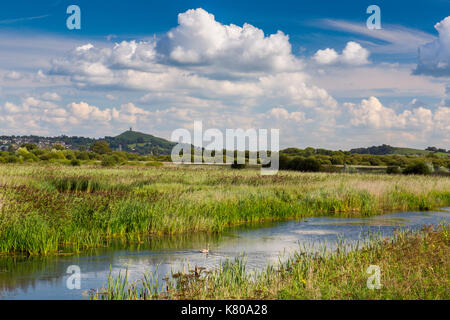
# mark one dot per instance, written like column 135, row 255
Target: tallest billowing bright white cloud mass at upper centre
column 201, row 40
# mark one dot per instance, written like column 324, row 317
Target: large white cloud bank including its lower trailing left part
column 198, row 43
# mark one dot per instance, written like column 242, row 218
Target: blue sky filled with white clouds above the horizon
column 312, row 69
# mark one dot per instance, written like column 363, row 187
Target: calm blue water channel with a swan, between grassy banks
column 262, row 244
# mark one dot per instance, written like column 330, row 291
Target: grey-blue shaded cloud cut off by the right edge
column 434, row 57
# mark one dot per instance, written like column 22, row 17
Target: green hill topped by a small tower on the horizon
column 142, row 143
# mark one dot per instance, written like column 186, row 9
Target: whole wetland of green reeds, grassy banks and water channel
column 52, row 216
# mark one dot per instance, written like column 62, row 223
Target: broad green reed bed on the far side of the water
column 46, row 209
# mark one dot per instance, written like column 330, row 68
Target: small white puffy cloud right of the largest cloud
column 353, row 54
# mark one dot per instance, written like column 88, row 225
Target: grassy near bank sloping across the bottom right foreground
column 413, row 266
